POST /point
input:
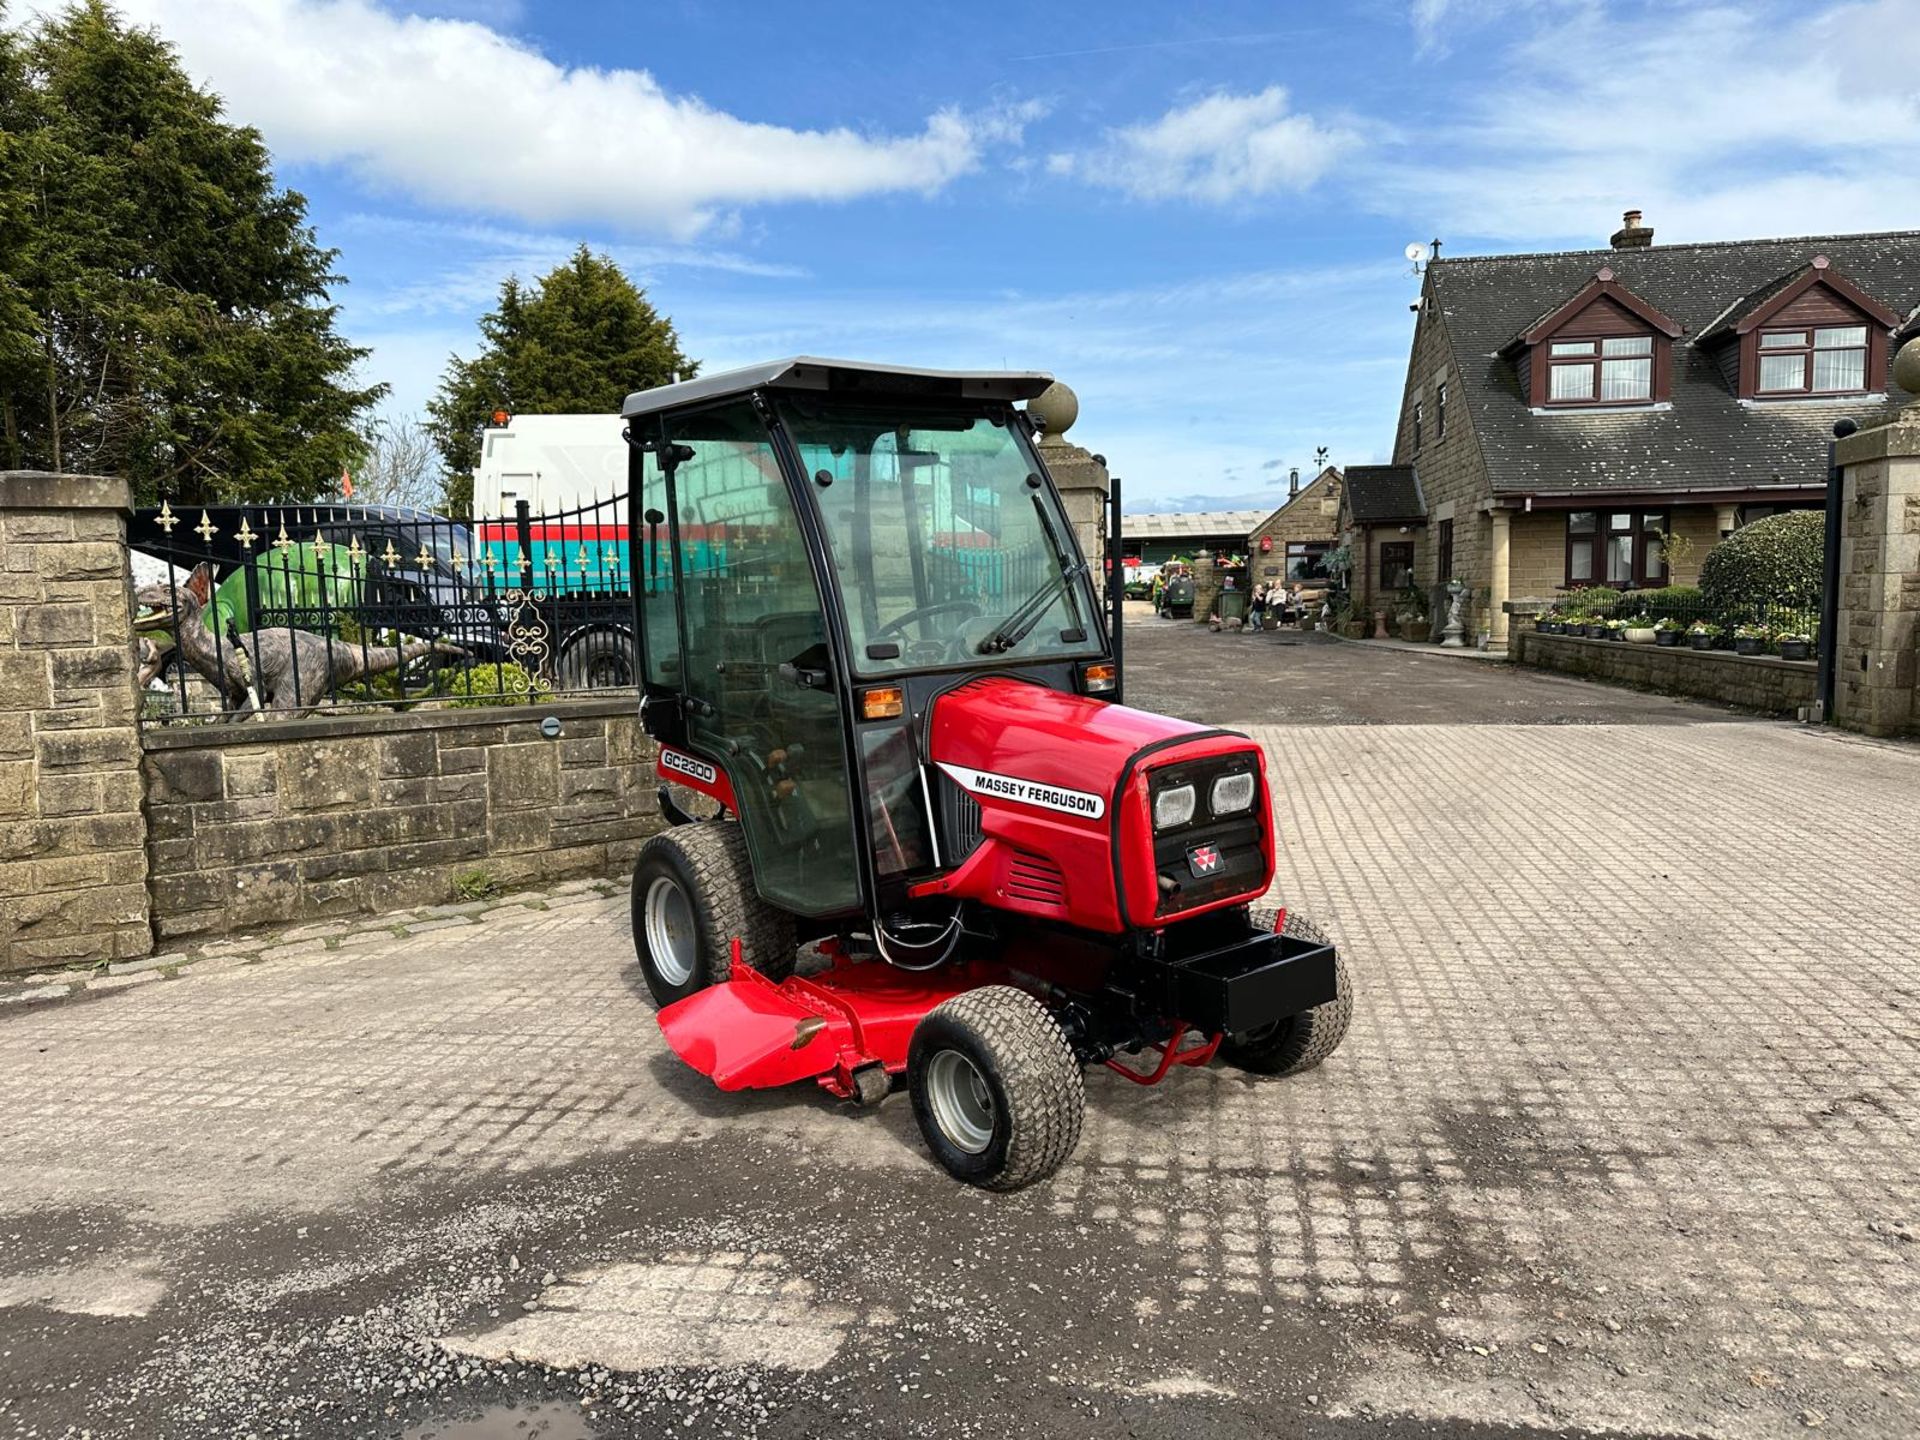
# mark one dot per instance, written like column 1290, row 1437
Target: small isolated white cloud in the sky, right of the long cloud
column 1218, row 149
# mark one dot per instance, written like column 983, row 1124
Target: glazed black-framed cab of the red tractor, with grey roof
column 821, row 552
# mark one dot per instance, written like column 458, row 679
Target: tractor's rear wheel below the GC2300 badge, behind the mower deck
column 692, row 900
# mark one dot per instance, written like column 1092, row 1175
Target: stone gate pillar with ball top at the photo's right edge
column 1877, row 677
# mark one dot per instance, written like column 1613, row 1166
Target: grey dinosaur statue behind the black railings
column 258, row 675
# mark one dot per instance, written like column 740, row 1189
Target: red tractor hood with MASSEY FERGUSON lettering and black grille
column 1063, row 794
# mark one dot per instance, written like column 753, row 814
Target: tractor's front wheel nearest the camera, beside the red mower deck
column 997, row 1090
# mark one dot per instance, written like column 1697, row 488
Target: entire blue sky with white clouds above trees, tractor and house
column 1191, row 214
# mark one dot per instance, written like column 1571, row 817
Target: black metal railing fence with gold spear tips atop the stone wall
column 289, row 610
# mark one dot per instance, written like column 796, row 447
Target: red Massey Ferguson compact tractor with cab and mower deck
column 932, row 842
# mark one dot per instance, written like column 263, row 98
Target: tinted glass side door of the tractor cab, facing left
column 754, row 656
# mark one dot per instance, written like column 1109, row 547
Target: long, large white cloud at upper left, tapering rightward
column 454, row 114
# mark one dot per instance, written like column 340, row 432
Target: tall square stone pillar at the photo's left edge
column 72, row 842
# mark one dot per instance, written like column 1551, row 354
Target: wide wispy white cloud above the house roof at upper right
column 1717, row 124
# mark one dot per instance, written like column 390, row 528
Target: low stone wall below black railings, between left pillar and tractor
column 354, row 815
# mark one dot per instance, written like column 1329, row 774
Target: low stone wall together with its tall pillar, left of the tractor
column 114, row 836
